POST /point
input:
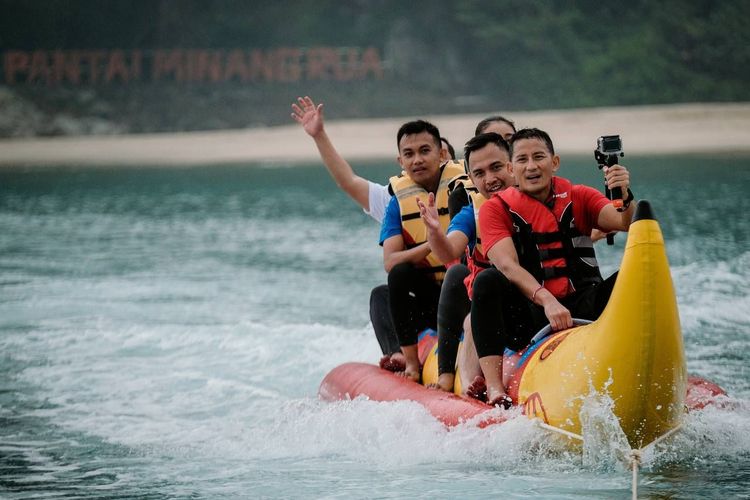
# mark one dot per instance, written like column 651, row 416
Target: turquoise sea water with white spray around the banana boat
column 163, row 332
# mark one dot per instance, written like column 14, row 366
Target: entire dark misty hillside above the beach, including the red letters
column 90, row 67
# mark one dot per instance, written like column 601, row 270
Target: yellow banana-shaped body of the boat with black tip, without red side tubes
column 633, row 352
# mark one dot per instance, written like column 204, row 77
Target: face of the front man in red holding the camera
column 533, row 166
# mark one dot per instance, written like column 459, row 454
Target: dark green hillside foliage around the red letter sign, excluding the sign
column 440, row 56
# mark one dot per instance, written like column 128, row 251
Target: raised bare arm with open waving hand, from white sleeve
column 310, row 116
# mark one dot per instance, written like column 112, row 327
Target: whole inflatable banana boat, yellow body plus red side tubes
column 633, row 352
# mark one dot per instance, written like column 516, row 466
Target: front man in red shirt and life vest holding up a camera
column 538, row 237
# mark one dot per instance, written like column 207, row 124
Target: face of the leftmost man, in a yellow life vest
column 419, row 157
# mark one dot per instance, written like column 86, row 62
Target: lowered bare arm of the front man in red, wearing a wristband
column 504, row 257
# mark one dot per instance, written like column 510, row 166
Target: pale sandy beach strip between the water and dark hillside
column 665, row 129
